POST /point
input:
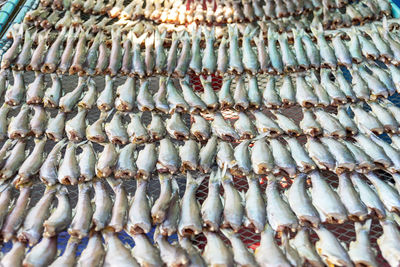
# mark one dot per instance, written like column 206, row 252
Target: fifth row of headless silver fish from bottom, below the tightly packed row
column 312, row 89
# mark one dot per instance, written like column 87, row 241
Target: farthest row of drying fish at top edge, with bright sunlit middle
column 182, row 12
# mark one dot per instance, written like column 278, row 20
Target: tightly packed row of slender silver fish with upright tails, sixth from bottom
column 126, row 56
